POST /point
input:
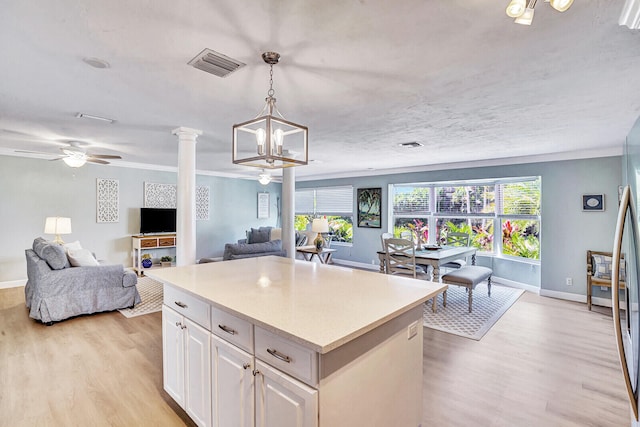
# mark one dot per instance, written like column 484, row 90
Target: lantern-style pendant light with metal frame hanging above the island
column 269, row 141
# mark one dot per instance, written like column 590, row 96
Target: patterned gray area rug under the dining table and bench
column 455, row 317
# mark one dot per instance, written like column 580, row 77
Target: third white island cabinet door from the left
column 232, row 384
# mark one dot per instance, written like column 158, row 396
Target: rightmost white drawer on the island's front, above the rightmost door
column 289, row 357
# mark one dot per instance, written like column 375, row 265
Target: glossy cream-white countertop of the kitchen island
column 320, row 306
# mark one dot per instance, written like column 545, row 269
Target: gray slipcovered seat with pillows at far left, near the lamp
column 56, row 291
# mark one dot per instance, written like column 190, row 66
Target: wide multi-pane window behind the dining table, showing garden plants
column 502, row 216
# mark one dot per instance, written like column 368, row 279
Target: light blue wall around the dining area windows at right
column 567, row 232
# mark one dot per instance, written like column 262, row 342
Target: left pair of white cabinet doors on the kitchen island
column 186, row 364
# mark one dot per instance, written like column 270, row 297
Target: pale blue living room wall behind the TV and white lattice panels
column 32, row 189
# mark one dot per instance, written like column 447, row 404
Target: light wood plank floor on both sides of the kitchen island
column 545, row 363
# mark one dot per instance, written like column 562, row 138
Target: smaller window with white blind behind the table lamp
column 336, row 203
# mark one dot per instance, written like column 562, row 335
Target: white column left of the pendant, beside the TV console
column 186, row 208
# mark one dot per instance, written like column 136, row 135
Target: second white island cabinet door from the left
column 198, row 373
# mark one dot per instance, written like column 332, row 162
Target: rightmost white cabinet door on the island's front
column 282, row 401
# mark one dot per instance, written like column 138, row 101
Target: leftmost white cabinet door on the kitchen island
column 173, row 354
